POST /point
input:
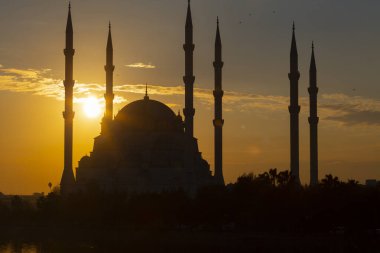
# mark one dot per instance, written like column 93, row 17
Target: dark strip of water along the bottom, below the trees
column 55, row 240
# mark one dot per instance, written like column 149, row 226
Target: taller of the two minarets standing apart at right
column 294, row 110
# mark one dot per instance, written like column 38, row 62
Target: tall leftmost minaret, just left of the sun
column 68, row 180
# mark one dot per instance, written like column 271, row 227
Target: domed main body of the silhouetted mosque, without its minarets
column 145, row 149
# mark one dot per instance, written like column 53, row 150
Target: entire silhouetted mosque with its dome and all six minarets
column 146, row 147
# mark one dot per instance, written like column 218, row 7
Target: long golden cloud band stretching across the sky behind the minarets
column 341, row 108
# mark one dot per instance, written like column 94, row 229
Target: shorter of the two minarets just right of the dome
column 218, row 120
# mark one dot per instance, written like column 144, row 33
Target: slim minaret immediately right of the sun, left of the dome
column 109, row 96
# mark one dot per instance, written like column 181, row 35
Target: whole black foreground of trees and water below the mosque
column 264, row 213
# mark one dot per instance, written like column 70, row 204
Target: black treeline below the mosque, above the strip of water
column 268, row 202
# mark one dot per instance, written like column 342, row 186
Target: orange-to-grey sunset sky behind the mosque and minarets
column 148, row 36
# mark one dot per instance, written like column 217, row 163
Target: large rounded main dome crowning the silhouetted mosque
column 147, row 115
